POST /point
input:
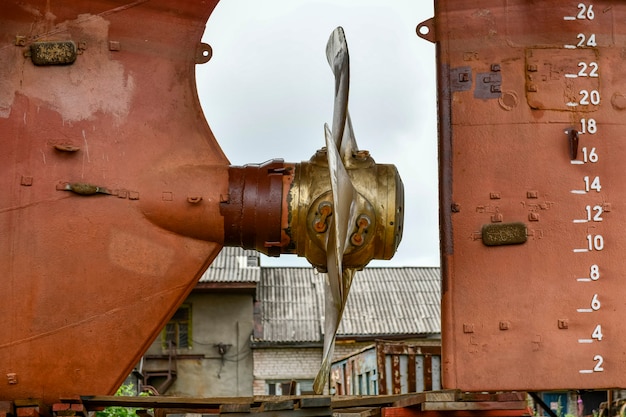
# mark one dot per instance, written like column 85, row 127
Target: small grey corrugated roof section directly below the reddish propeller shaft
column 234, row 265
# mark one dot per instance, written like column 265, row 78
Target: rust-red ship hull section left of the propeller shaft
column 87, row 280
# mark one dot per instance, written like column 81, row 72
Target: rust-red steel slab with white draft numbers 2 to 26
column 547, row 313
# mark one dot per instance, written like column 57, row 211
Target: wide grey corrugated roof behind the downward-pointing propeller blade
column 382, row 301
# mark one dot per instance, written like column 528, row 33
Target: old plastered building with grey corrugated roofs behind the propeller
column 252, row 330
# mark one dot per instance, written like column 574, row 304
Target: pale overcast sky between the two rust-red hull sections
column 268, row 91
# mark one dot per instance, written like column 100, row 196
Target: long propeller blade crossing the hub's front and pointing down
column 338, row 279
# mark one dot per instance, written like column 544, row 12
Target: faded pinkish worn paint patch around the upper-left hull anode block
column 94, row 83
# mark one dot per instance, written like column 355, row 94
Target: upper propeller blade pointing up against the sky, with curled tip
column 339, row 61
